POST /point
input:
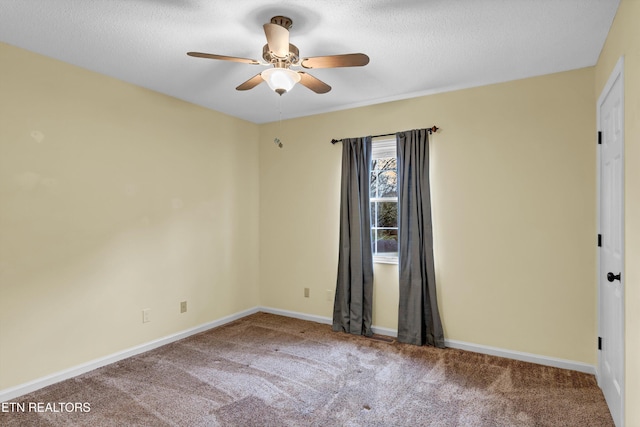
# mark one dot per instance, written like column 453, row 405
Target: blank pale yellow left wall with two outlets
column 115, row 199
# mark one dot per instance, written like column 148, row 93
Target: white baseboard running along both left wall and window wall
column 14, row 392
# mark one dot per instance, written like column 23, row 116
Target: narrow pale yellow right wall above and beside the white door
column 624, row 39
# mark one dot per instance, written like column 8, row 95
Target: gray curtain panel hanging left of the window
column 354, row 289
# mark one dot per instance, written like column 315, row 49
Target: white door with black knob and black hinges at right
column 611, row 269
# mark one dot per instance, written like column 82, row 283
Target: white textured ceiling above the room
column 416, row 47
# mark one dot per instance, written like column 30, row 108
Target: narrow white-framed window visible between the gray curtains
column 384, row 201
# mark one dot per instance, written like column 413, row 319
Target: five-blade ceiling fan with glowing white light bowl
column 282, row 55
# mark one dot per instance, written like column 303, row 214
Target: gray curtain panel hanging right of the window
column 418, row 315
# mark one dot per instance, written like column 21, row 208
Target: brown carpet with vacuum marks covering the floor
column 267, row 370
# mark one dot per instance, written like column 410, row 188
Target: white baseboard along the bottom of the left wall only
column 22, row 389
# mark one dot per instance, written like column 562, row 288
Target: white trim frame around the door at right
column 616, row 73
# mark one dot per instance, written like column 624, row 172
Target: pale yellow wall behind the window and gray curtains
column 513, row 184
